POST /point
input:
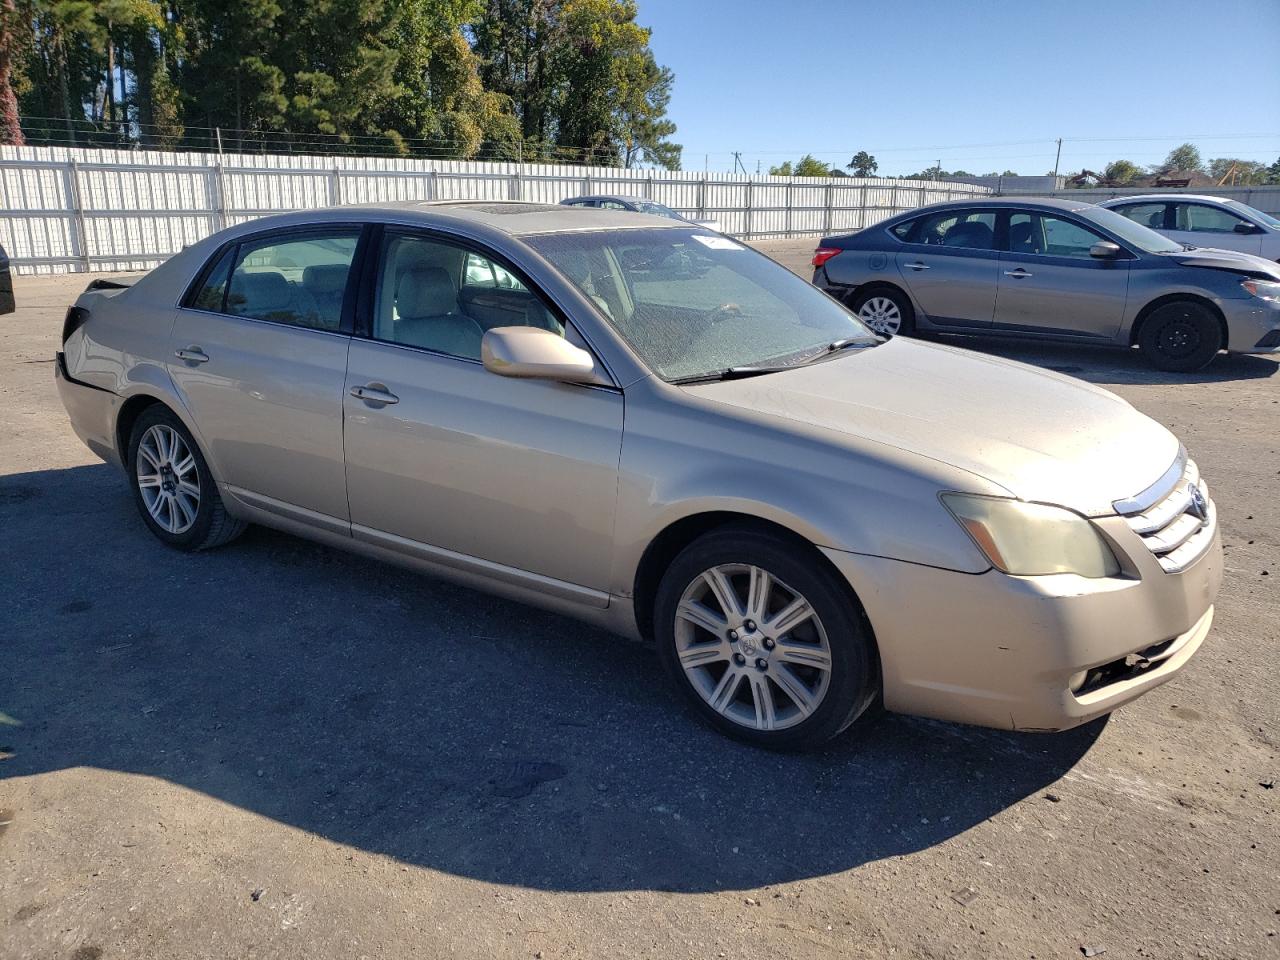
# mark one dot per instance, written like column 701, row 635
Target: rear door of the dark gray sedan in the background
column 952, row 267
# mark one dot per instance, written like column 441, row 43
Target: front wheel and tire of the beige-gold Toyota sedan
column 765, row 641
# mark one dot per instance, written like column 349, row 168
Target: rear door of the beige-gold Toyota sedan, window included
column 259, row 356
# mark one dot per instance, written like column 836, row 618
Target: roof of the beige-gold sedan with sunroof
column 510, row 217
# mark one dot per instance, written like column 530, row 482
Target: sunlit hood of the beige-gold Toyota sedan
column 1040, row 436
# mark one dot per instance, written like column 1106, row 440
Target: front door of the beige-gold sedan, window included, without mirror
column 514, row 479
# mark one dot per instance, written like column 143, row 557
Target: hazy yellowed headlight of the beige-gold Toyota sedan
column 1028, row 540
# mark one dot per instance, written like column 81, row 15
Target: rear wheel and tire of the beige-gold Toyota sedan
column 172, row 486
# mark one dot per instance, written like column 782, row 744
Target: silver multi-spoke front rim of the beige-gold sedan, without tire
column 752, row 647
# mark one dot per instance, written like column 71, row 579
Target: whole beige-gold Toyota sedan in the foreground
column 659, row 431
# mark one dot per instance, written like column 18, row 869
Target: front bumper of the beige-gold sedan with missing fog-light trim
column 1000, row 651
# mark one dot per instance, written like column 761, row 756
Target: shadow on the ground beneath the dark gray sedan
column 1108, row 365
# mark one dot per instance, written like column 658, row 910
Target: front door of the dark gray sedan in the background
column 1049, row 284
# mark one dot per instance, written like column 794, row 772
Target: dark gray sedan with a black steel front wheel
column 1054, row 269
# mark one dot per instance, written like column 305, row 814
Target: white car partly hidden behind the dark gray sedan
column 1204, row 222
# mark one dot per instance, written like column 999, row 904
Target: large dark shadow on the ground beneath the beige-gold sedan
column 433, row 724
